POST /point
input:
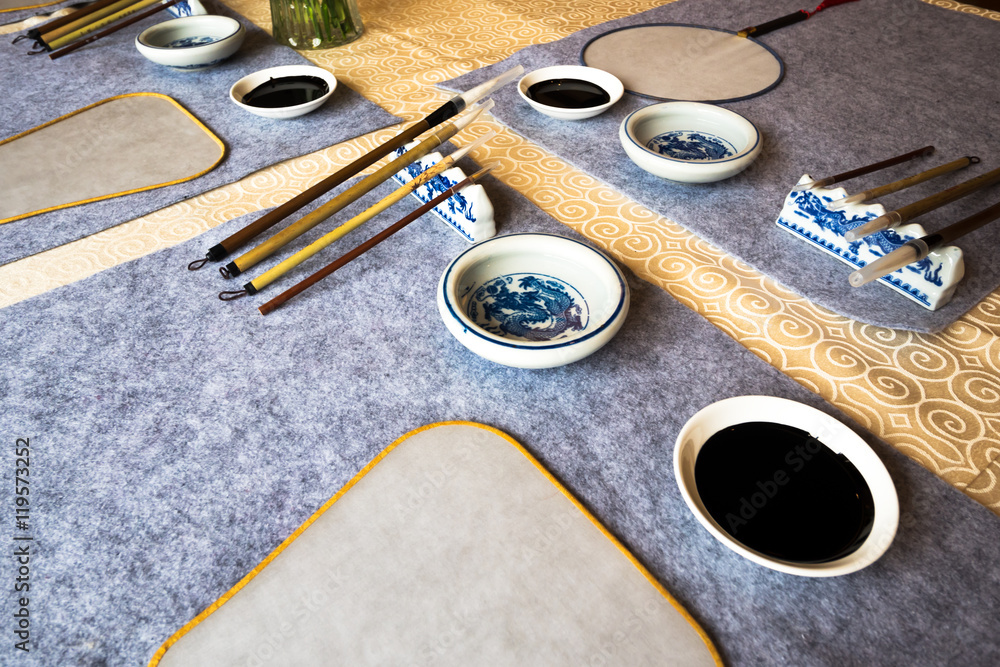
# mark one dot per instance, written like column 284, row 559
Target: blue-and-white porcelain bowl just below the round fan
column 689, row 142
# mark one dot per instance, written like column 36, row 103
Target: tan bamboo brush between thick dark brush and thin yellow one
column 253, row 257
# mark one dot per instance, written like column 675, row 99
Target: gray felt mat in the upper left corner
column 37, row 90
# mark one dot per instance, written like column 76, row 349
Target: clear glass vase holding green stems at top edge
column 315, row 24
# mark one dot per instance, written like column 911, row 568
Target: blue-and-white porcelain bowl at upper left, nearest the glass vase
column 191, row 43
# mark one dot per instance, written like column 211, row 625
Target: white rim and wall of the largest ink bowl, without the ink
column 832, row 433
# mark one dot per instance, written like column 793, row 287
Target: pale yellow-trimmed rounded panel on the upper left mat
column 114, row 147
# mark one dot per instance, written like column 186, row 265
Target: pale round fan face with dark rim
column 685, row 62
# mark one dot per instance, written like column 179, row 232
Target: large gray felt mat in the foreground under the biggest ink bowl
column 176, row 440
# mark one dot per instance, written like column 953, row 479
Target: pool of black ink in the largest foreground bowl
column 779, row 491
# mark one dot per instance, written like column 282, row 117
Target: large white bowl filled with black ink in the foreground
column 761, row 494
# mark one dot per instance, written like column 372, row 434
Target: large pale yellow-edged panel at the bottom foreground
column 453, row 547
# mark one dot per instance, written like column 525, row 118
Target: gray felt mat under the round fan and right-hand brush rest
column 863, row 82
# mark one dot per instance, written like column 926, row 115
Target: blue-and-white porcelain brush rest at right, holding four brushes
column 930, row 282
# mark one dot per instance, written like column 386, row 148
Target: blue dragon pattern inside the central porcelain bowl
column 529, row 307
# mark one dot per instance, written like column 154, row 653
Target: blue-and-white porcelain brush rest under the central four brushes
column 469, row 212
